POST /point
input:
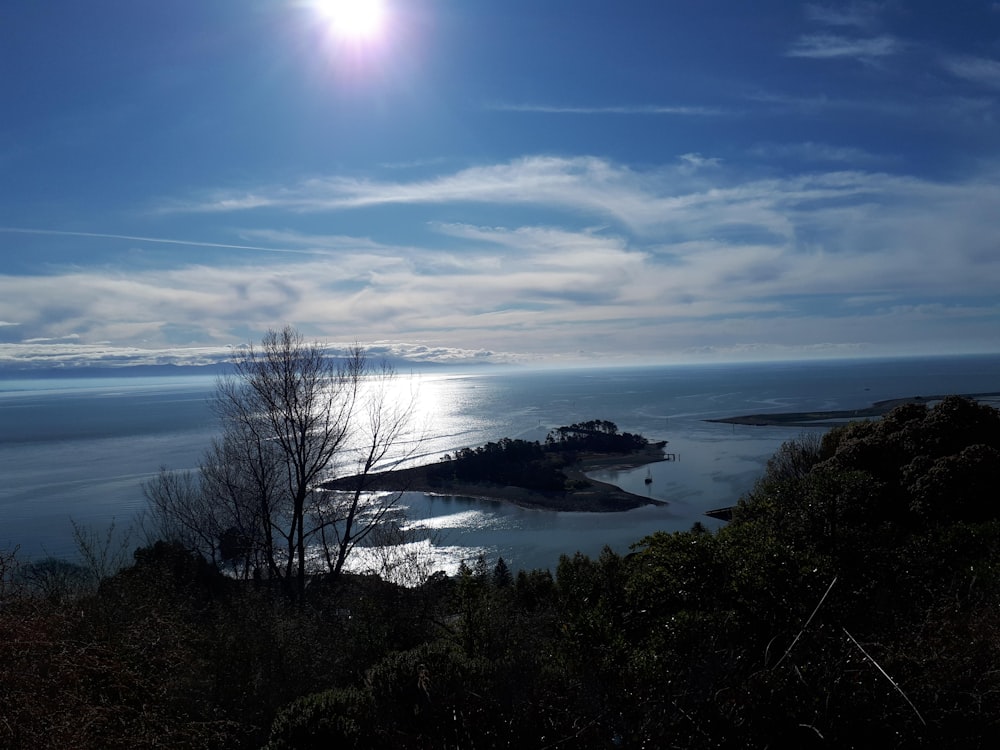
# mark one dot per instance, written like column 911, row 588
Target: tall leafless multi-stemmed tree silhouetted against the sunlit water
column 291, row 419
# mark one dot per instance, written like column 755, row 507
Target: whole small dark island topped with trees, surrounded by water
column 545, row 476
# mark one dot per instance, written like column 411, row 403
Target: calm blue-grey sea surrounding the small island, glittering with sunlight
column 77, row 450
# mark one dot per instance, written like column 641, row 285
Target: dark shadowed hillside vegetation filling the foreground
column 853, row 601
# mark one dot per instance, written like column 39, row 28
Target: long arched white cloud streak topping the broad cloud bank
column 585, row 186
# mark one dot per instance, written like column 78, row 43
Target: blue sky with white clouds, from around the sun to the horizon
column 526, row 180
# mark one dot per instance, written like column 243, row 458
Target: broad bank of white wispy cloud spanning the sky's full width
column 666, row 257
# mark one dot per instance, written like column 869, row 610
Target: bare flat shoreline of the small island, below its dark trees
column 596, row 497
